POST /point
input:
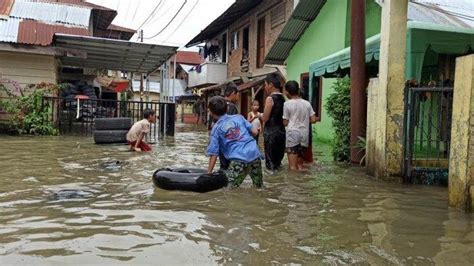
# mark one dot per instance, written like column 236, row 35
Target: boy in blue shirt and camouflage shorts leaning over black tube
column 232, row 136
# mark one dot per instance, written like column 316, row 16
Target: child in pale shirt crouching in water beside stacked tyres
column 138, row 131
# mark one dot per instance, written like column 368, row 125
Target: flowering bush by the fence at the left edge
column 28, row 114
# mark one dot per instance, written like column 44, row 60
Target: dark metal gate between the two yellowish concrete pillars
column 427, row 134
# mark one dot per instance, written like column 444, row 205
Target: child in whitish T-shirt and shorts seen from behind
column 297, row 116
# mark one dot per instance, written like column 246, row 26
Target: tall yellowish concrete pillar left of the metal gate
column 389, row 100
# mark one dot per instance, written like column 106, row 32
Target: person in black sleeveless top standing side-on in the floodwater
column 274, row 131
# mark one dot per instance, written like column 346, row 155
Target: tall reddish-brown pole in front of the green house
column 358, row 78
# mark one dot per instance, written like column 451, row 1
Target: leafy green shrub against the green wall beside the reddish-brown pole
column 339, row 109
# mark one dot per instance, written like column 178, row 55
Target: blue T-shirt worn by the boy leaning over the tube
column 232, row 135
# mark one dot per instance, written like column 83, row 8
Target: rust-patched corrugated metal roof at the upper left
column 36, row 21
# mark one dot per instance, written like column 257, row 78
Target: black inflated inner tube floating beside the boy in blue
column 189, row 179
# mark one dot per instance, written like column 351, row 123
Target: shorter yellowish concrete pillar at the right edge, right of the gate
column 461, row 159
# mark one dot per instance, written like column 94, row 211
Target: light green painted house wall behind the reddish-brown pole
column 329, row 33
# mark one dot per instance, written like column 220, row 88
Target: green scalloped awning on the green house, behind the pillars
column 420, row 37
